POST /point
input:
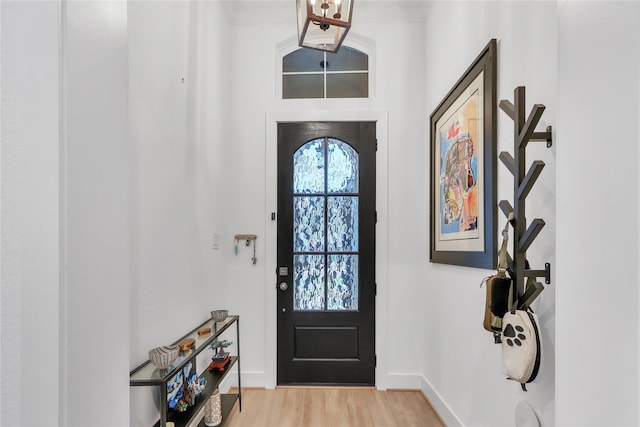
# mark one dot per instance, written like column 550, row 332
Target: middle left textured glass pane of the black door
column 308, row 224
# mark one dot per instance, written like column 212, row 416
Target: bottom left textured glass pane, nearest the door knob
column 308, row 282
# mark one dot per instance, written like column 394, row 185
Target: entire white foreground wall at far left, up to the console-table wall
column 65, row 206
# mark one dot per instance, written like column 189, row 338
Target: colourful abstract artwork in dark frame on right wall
column 463, row 168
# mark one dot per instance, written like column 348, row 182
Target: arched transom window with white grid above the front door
column 308, row 73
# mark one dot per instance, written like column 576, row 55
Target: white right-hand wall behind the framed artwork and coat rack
column 460, row 362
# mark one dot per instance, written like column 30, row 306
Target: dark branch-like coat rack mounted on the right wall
column 523, row 181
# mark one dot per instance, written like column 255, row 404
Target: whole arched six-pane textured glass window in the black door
column 325, row 246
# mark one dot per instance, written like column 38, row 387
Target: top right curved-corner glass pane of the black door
column 342, row 168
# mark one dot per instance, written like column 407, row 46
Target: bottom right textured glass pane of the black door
column 342, row 289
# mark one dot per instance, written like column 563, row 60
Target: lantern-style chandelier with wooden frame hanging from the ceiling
column 323, row 24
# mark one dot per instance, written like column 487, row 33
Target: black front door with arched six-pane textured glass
column 326, row 253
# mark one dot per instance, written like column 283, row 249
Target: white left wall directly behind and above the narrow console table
column 178, row 96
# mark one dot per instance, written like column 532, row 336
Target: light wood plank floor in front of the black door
column 329, row 407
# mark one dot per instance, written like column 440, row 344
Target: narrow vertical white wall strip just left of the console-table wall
column 95, row 206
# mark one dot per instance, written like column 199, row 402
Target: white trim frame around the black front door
column 271, row 239
